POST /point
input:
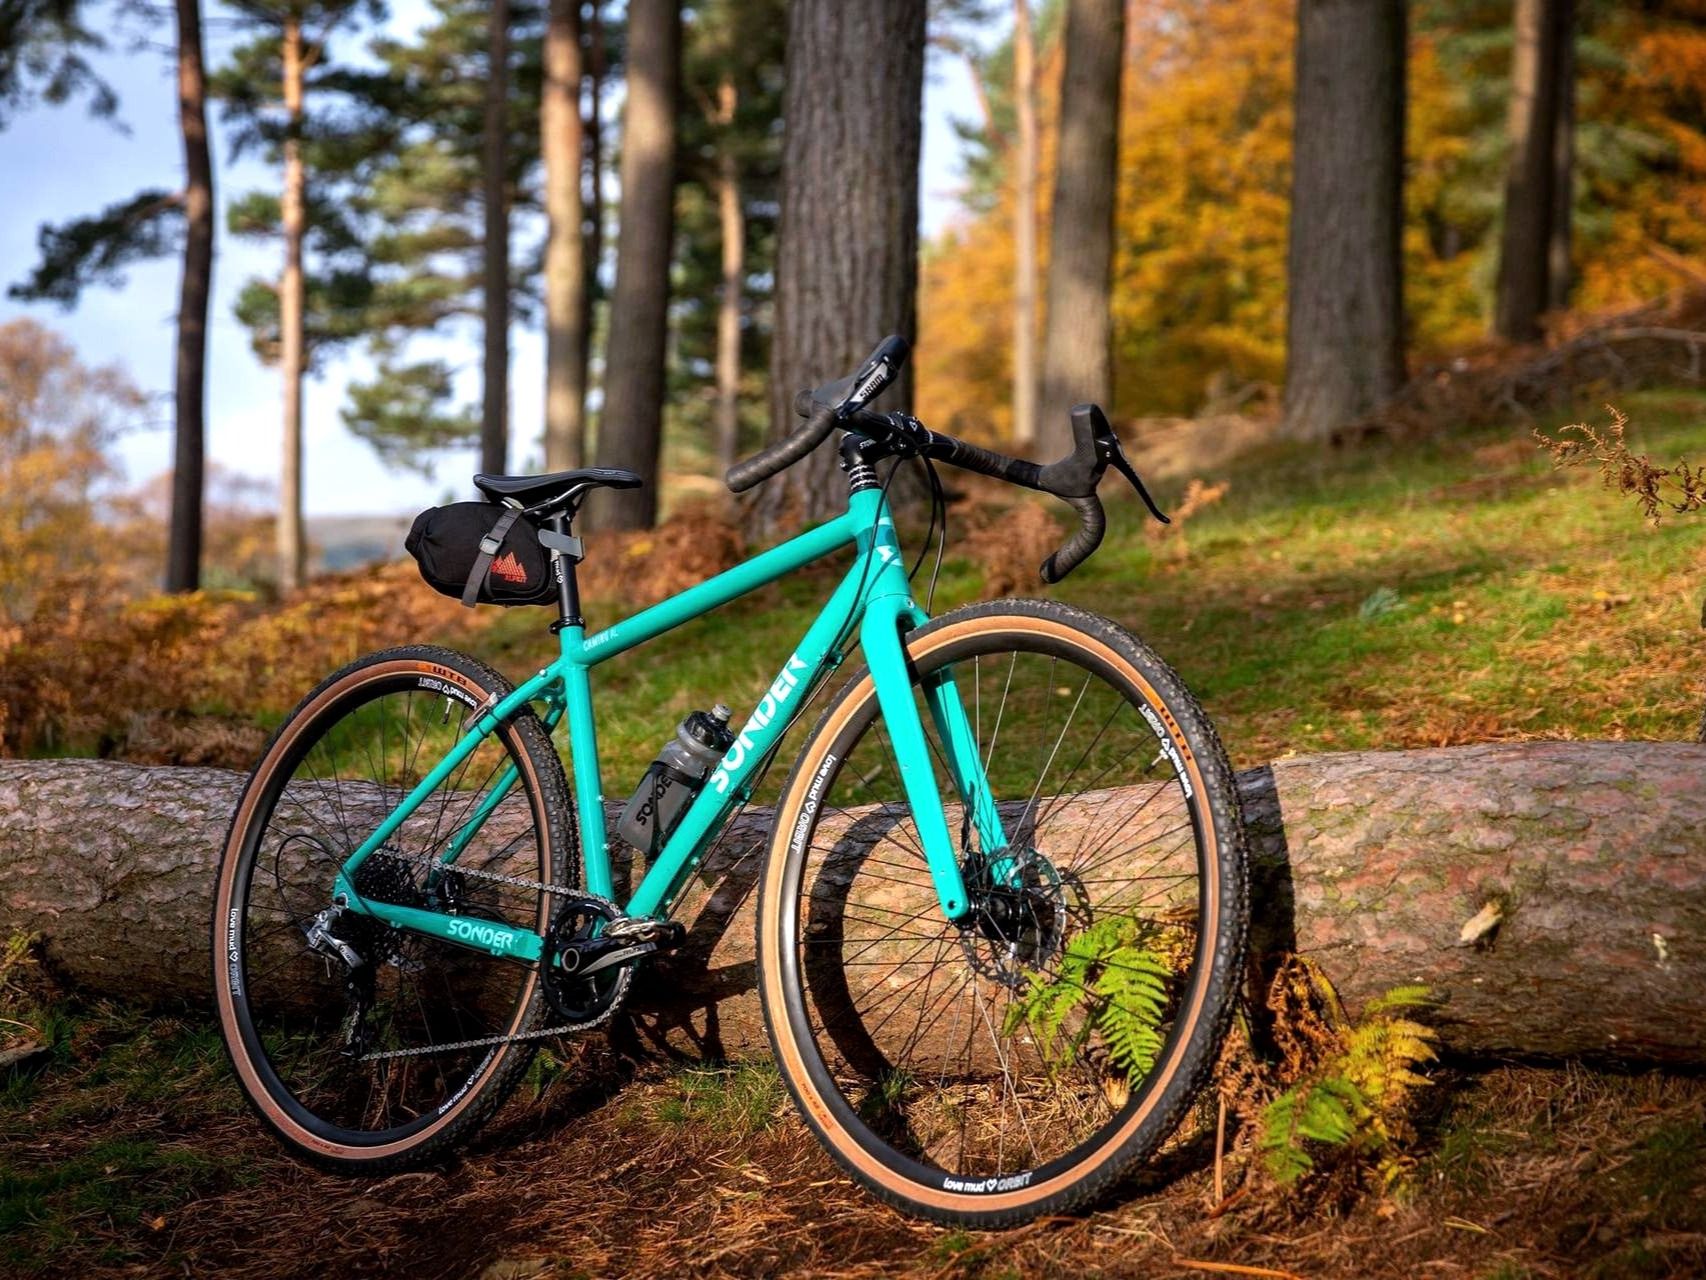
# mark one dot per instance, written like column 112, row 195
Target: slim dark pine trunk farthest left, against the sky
column 183, row 556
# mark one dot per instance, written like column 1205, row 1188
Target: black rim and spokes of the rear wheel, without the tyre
column 291, row 1003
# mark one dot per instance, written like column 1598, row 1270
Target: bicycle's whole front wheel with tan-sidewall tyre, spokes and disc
column 1018, row 1062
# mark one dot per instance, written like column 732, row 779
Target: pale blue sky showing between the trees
column 59, row 163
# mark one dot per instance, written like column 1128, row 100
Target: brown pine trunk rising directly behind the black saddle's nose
column 632, row 426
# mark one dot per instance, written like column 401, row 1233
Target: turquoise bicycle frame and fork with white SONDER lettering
column 874, row 600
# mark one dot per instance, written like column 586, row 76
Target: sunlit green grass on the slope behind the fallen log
column 1335, row 600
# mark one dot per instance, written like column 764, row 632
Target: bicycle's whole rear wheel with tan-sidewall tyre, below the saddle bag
column 378, row 1049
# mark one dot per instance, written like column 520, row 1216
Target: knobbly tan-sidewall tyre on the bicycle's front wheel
column 1113, row 1153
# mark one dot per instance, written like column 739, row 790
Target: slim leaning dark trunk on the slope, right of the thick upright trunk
column 1533, row 124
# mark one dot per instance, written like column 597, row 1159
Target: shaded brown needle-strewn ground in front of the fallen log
column 131, row 1153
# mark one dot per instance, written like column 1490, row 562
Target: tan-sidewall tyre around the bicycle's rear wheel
column 301, row 721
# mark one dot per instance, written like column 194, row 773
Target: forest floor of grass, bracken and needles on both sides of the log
column 1444, row 591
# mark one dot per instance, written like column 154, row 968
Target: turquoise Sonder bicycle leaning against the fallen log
column 1002, row 917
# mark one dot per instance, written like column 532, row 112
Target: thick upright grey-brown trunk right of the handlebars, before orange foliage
column 1345, row 311
